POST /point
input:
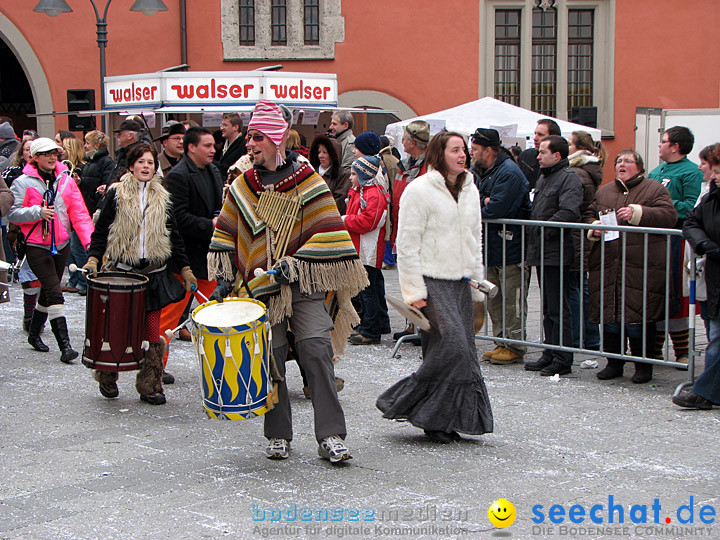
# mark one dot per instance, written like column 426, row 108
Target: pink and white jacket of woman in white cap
column 70, row 210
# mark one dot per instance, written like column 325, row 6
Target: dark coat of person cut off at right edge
column 702, row 230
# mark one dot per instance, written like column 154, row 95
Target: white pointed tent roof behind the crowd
column 487, row 112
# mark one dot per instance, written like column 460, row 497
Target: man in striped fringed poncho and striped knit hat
column 320, row 267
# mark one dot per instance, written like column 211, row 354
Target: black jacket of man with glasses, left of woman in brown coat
column 558, row 195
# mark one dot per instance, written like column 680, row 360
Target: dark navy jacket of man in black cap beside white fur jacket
column 508, row 190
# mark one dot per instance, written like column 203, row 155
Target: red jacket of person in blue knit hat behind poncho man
column 367, row 225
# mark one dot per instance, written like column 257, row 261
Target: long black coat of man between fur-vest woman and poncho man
column 195, row 204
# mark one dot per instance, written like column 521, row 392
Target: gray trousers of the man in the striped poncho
column 311, row 325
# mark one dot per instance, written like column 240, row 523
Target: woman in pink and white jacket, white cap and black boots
column 47, row 203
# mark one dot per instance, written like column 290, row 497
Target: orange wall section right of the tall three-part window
column 666, row 56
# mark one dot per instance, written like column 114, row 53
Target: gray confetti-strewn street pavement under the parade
column 78, row 466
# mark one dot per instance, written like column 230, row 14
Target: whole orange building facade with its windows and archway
column 412, row 57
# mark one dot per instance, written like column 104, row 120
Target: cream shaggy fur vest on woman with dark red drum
column 124, row 236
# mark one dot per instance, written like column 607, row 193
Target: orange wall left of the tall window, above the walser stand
column 423, row 69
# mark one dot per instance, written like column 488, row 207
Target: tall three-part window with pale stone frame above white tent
column 549, row 55
